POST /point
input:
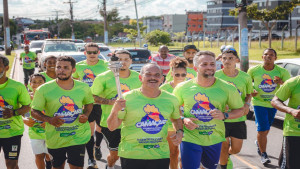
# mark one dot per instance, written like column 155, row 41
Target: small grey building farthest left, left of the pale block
column 153, row 23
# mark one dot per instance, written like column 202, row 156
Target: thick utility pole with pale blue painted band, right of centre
column 243, row 32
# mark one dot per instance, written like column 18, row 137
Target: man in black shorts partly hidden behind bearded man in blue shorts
column 235, row 129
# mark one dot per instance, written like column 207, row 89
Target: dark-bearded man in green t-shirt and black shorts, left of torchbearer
column 67, row 103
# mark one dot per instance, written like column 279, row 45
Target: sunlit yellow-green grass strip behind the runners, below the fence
column 255, row 52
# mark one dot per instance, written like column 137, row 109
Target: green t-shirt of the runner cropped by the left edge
column 13, row 95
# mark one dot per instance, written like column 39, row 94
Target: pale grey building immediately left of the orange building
column 174, row 23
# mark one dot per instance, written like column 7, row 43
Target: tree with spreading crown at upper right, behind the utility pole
column 268, row 17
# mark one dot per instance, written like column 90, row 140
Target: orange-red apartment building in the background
column 196, row 22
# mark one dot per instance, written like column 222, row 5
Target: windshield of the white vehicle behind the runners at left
column 60, row 47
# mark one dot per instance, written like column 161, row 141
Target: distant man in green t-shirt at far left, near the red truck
column 28, row 60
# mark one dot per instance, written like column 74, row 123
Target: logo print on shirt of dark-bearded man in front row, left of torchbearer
column 69, row 110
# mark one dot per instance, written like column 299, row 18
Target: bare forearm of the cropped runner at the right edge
column 279, row 105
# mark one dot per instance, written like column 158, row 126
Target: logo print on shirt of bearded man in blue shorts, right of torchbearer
column 202, row 108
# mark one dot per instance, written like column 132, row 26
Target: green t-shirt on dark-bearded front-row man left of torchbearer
column 68, row 103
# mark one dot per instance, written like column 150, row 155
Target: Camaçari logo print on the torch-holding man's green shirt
column 153, row 121
